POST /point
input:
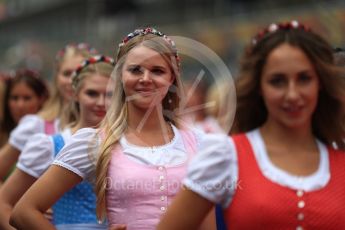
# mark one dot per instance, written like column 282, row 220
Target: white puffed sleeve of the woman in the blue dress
column 37, row 155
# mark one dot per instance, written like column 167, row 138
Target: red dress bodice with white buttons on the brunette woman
column 259, row 203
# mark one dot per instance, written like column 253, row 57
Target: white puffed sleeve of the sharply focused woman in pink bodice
column 78, row 155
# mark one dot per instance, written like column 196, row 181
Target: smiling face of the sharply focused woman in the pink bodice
column 146, row 78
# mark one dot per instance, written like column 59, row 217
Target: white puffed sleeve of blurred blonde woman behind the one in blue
column 27, row 127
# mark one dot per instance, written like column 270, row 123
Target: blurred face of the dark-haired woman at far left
column 23, row 100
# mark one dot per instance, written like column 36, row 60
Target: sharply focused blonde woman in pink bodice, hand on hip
column 138, row 156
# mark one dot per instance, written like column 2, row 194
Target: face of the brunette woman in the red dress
column 289, row 87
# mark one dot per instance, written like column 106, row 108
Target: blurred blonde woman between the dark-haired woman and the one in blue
column 50, row 119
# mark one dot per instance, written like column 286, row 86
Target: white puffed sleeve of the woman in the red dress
column 213, row 172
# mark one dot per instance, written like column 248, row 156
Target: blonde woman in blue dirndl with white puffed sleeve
column 77, row 208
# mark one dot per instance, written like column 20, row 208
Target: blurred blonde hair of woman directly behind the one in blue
column 54, row 107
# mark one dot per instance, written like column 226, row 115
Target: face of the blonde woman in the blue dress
column 92, row 98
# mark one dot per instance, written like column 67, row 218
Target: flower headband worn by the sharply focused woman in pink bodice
column 151, row 30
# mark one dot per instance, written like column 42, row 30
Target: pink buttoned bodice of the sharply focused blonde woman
column 138, row 194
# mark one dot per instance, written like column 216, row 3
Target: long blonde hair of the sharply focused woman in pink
column 115, row 122
